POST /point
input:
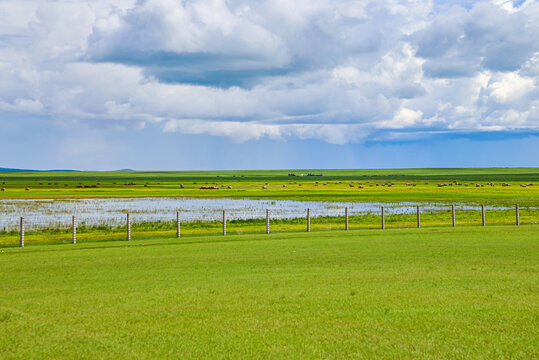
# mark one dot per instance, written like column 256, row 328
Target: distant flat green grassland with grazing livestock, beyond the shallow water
column 248, row 184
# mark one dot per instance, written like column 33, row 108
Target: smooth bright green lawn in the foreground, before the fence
column 401, row 293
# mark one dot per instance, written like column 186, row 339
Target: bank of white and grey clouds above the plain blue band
column 340, row 71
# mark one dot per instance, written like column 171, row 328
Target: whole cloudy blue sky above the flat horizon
column 268, row 84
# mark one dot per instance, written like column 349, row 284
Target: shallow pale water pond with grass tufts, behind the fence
column 41, row 213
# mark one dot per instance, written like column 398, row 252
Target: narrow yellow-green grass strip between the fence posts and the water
column 100, row 233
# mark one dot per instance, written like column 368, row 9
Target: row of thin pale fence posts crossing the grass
column 267, row 222
